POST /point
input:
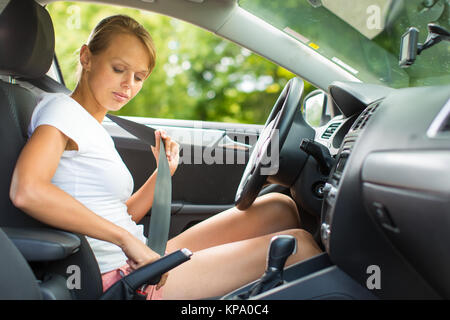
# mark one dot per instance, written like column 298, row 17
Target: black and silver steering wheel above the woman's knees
column 272, row 137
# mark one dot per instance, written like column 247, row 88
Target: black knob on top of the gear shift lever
column 280, row 248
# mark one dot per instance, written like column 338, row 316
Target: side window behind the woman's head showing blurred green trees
column 198, row 76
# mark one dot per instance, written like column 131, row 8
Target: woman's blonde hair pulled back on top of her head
column 103, row 32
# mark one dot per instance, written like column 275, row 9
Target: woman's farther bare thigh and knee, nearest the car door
column 269, row 213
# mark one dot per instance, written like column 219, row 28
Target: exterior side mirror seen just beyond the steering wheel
column 314, row 108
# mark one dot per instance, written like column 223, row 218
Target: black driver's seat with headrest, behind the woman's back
column 27, row 44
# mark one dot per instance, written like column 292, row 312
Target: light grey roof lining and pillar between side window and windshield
column 227, row 20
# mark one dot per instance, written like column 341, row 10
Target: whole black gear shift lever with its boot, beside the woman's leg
column 280, row 248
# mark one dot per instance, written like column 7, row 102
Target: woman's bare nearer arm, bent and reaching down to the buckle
column 32, row 191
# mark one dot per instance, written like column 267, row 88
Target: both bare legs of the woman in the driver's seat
column 230, row 248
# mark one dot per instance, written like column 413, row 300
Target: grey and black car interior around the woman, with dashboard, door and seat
column 372, row 182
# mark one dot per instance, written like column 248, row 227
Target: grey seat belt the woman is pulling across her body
column 162, row 199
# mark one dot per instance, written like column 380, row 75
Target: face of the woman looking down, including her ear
column 116, row 74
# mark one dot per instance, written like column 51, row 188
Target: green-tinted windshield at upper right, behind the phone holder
column 363, row 36
